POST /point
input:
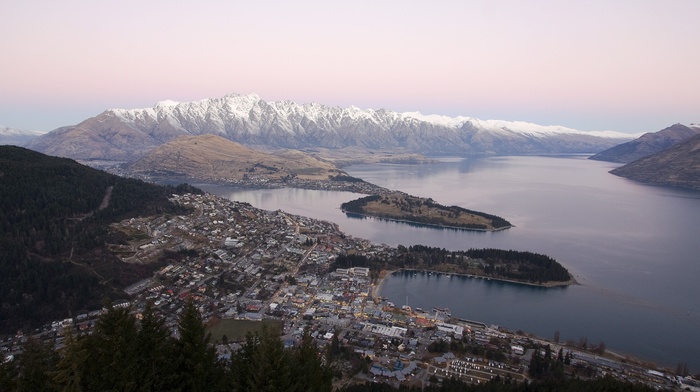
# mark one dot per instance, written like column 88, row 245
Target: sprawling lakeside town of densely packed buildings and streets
column 238, row 263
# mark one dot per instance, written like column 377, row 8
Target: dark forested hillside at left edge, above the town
column 54, row 215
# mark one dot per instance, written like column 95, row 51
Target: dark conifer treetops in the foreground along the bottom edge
column 126, row 353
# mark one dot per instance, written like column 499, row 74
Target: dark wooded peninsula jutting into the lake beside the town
column 520, row 266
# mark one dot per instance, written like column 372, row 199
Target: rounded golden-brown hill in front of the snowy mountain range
column 211, row 157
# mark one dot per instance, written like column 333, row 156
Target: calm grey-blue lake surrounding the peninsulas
column 634, row 249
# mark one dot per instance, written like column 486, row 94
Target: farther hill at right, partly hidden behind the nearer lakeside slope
column 648, row 144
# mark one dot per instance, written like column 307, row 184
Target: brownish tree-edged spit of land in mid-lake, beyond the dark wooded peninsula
column 402, row 207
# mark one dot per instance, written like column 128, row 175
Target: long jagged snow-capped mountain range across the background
column 126, row 135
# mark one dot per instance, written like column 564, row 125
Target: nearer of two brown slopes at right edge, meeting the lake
column 678, row 165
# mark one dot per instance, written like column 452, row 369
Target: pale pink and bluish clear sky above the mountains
column 623, row 65
